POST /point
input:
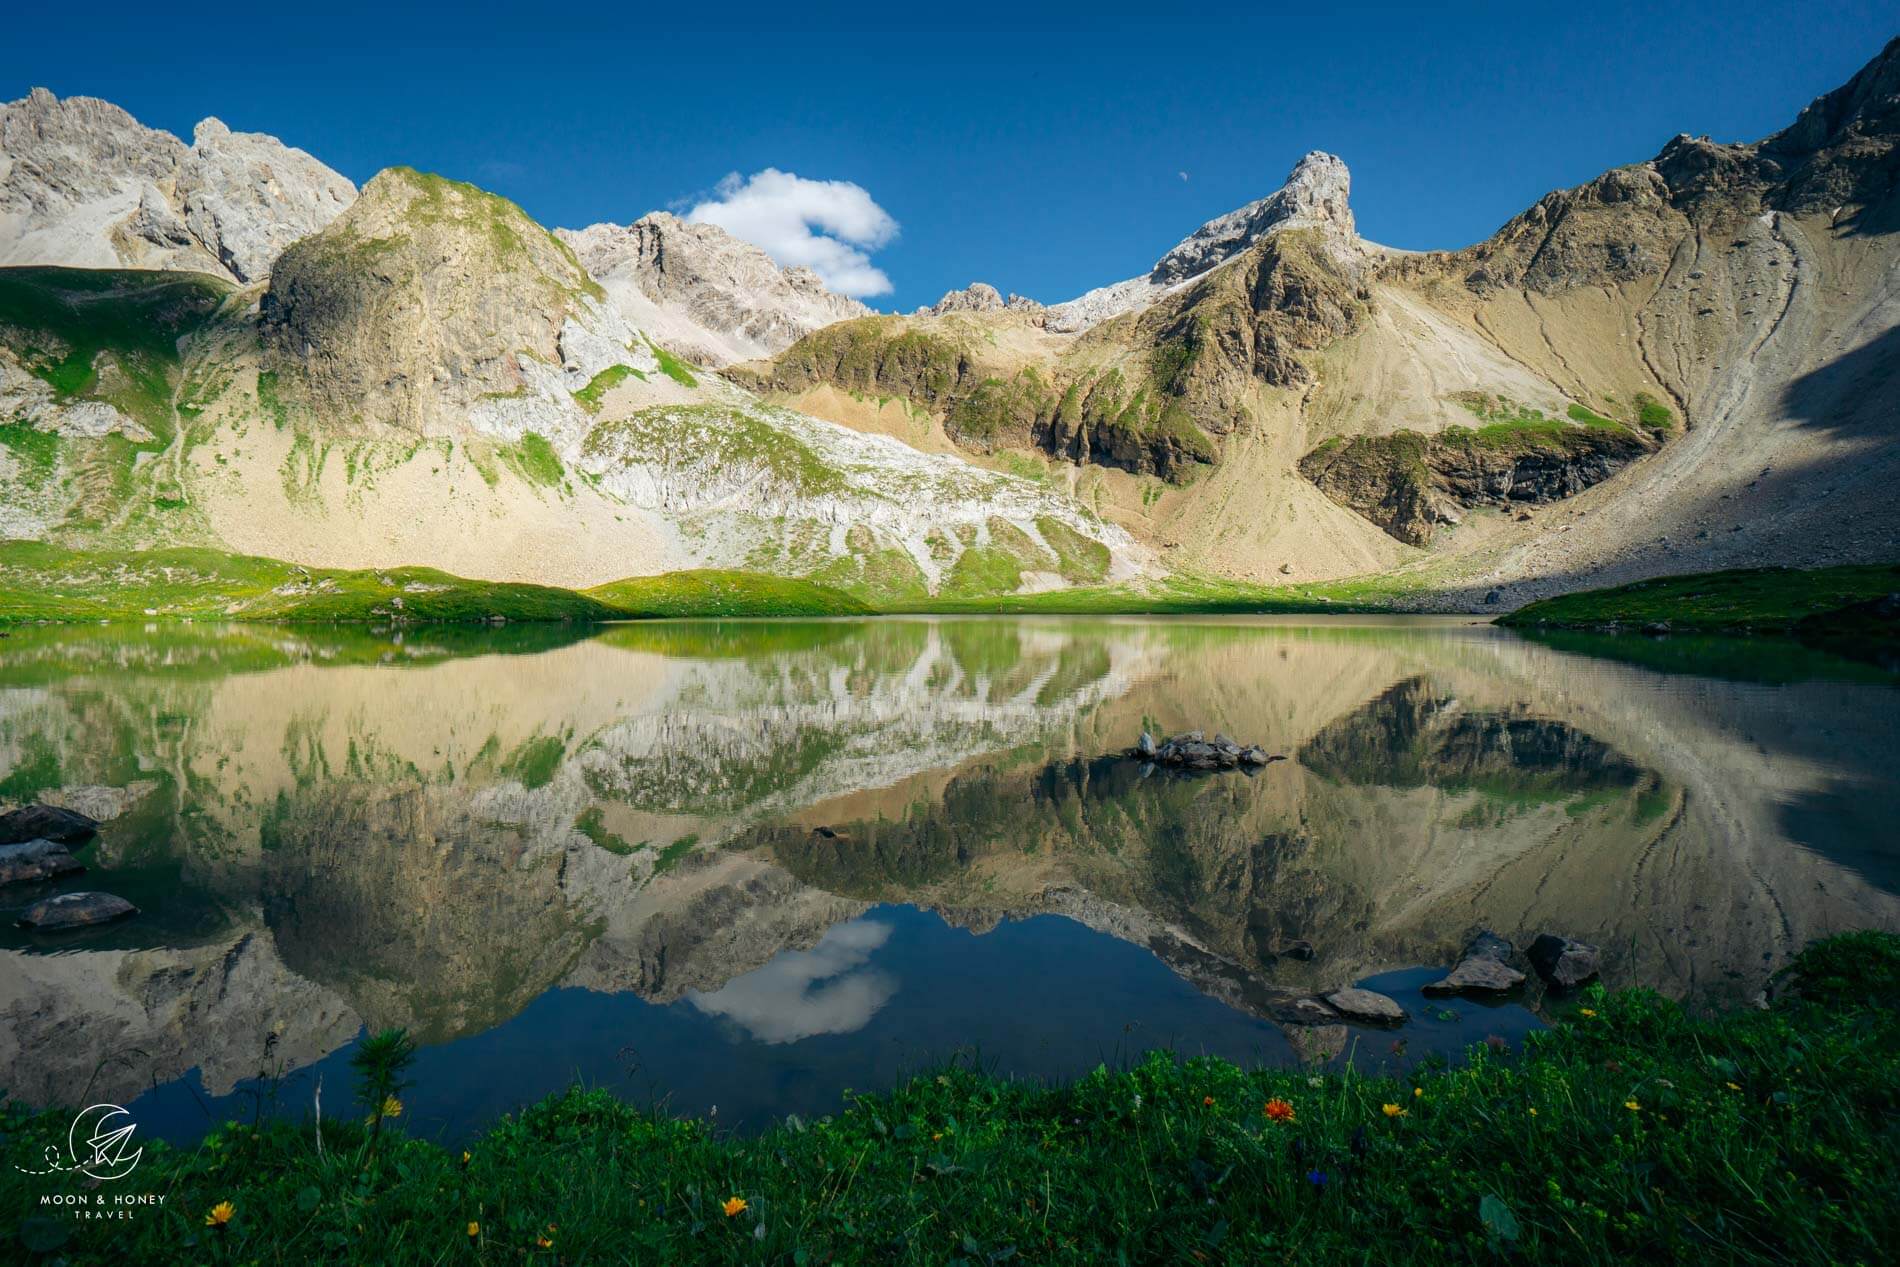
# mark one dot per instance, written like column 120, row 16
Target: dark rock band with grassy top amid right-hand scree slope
column 1411, row 483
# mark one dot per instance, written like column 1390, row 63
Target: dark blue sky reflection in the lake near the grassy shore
column 881, row 998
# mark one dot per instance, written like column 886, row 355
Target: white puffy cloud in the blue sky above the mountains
column 827, row 227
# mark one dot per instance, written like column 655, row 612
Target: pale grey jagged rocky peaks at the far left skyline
column 83, row 183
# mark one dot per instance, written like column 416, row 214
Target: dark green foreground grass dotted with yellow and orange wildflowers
column 1627, row 1133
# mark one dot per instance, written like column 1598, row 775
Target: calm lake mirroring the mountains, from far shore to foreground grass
column 746, row 867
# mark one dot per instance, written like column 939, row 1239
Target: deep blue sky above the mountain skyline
column 1035, row 147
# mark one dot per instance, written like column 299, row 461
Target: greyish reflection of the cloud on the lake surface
column 807, row 993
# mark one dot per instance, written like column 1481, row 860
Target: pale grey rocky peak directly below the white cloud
column 702, row 292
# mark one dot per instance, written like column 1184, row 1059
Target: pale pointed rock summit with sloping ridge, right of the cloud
column 1314, row 197
